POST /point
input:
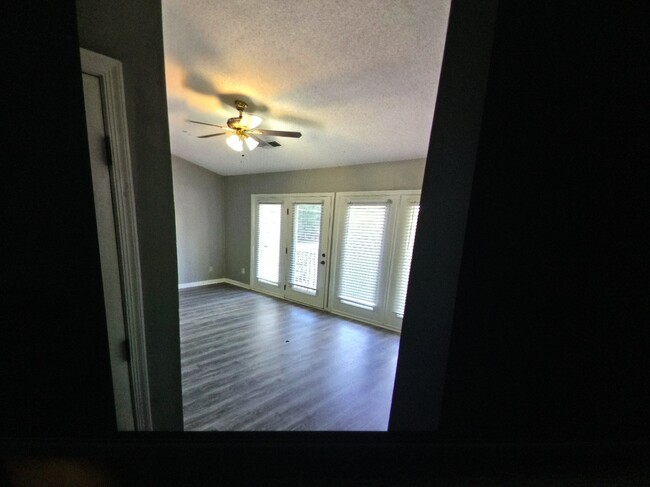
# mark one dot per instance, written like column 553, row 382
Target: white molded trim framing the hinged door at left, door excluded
column 109, row 71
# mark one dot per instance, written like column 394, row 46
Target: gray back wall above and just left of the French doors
column 363, row 177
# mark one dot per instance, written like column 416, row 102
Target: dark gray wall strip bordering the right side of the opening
column 446, row 190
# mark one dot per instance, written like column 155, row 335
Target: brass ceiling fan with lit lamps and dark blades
column 243, row 129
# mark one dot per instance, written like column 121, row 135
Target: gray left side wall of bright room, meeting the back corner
column 200, row 214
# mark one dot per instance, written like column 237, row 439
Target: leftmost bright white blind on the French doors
column 269, row 219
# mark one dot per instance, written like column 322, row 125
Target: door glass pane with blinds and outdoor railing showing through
column 305, row 243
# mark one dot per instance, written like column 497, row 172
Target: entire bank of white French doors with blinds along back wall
column 371, row 253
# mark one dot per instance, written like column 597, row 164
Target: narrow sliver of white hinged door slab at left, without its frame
column 109, row 256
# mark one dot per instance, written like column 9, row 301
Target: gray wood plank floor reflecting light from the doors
column 251, row 362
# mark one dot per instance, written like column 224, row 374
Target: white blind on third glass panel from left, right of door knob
column 361, row 254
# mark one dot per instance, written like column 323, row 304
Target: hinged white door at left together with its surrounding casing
column 117, row 233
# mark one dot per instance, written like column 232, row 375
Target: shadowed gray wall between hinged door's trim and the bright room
column 116, row 29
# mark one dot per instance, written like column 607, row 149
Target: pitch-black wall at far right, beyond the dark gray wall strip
column 550, row 338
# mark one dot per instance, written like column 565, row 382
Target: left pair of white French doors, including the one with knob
column 291, row 246
